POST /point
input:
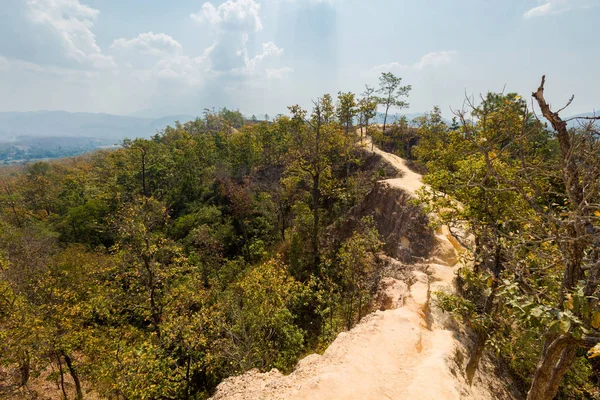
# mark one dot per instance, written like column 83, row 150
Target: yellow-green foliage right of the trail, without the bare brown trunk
column 498, row 182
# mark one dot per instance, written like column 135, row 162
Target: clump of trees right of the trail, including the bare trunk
column 518, row 188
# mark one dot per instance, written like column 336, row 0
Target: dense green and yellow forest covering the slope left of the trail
column 160, row 268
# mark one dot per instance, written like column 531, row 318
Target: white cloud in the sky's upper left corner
column 72, row 23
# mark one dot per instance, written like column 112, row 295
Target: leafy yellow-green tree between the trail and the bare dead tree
column 458, row 164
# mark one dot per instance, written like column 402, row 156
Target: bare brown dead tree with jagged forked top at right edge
column 579, row 176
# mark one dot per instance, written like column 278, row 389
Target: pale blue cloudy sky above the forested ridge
column 160, row 57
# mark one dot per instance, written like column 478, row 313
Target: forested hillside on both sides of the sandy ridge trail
column 156, row 270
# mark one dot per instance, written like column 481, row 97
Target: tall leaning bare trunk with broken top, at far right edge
column 579, row 167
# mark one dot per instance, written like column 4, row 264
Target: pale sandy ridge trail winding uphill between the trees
column 404, row 352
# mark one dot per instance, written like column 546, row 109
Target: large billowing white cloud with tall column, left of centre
column 157, row 57
